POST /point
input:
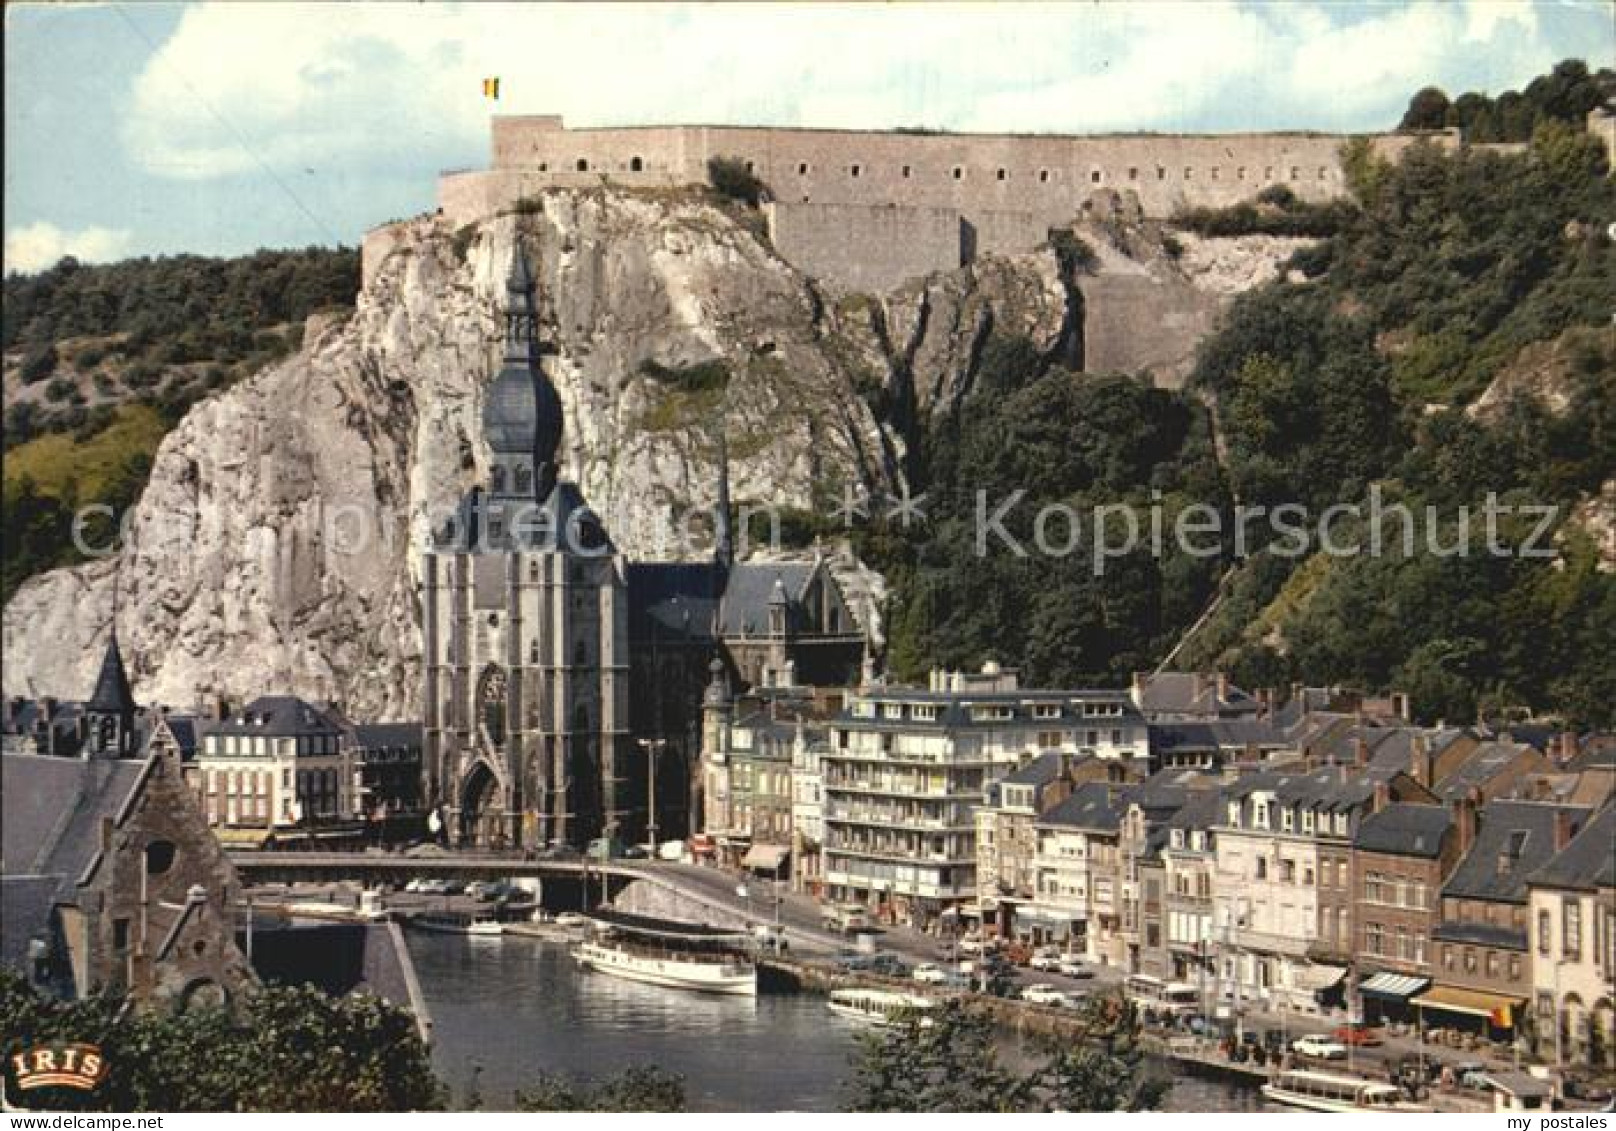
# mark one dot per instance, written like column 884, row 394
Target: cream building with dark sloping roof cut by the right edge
column 1572, row 915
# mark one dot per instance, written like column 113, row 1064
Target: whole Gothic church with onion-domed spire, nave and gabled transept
column 557, row 670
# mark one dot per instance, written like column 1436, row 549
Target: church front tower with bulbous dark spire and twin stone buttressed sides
column 526, row 629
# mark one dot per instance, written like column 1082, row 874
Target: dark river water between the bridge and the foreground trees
column 516, row 1007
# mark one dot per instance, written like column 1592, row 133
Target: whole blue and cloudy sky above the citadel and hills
column 219, row 128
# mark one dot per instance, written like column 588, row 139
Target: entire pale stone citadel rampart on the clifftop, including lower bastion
column 870, row 209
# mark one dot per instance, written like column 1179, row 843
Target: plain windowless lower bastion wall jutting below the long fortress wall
column 864, row 248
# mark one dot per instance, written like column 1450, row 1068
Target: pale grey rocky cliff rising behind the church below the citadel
column 272, row 550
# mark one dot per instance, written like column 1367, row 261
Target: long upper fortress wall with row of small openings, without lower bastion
column 964, row 172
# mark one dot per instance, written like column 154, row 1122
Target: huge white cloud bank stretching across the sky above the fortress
column 238, row 90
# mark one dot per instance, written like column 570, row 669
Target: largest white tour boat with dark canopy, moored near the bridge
column 668, row 952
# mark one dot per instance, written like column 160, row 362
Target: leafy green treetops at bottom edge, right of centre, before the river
column 949, row 1061
